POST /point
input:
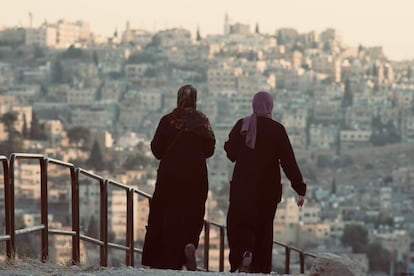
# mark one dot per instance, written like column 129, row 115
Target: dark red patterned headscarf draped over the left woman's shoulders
column 186, row 117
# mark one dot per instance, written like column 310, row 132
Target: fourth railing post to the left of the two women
column 44, row 209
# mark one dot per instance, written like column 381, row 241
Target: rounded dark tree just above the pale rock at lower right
column 356, row 236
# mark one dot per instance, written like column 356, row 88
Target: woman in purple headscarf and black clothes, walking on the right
column 259, row 146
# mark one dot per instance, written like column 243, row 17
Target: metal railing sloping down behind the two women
column 9, row 166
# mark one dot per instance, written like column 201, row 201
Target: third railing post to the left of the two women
column 75, row 216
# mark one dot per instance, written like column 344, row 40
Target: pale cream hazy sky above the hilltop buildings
column 387, row 23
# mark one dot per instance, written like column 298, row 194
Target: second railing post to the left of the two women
column 104, row 222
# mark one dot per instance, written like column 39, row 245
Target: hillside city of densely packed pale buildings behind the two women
column 95, row 101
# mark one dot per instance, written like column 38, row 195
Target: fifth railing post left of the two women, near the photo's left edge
column 11, row 249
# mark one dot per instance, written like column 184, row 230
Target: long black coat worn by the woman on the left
column 178, row 205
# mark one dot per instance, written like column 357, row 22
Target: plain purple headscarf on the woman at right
column 262, row 107
